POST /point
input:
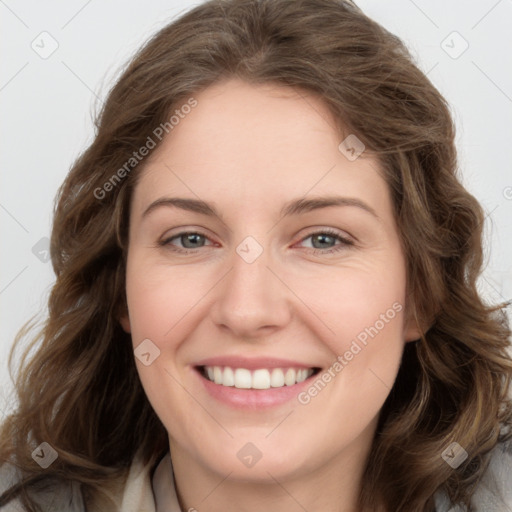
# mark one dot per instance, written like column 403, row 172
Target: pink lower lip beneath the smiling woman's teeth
column 253, row 398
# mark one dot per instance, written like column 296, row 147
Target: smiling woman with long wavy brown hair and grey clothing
column 261, row 369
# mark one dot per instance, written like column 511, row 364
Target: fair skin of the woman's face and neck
column 248, row 150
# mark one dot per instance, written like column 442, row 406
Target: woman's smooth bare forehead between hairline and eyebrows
column 257, row 144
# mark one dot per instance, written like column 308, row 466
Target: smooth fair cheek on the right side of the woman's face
column 366, row 349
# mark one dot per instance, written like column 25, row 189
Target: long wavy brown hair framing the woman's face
column 80, row 391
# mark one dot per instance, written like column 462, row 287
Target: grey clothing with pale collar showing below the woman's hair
column 146, row 490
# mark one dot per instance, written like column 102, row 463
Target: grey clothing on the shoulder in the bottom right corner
column 493, row 492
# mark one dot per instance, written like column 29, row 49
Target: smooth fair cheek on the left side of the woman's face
column 159, row 299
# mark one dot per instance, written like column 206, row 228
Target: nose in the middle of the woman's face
column 252, row 299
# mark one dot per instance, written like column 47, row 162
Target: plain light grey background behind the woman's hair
column 46, row 106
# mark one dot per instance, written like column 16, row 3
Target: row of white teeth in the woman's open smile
column 242, row 378
